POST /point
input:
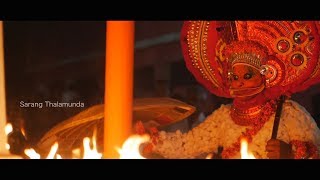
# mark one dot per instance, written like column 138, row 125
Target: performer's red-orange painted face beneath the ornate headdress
column 245, row 81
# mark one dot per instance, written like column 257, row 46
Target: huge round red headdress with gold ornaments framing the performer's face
column 285, row 52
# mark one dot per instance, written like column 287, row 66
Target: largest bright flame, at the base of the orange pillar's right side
column 130, row 148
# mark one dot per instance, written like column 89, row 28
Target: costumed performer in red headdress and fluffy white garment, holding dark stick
column 259, row 64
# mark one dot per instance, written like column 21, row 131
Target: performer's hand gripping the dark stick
column 277, row 149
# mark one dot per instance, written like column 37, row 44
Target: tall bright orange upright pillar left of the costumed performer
column 118, row 85
